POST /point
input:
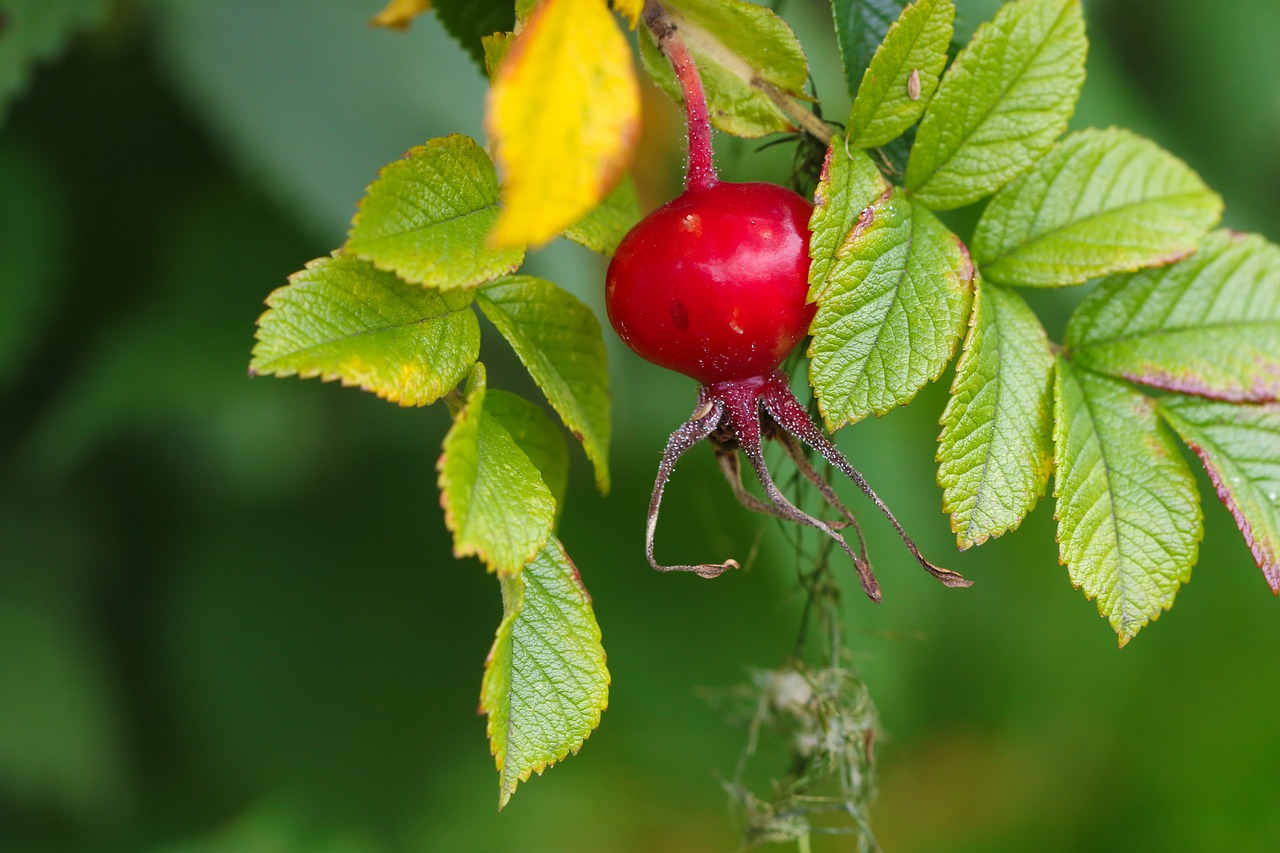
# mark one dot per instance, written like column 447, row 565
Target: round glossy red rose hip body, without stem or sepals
column 714, row 284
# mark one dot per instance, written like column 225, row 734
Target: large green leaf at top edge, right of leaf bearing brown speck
column 1002, row 104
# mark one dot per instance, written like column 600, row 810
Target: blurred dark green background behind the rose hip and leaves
column 230, row 619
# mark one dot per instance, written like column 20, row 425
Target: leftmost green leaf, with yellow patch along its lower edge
column 344, row 320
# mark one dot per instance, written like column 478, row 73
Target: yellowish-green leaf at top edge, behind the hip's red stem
column 742, row 52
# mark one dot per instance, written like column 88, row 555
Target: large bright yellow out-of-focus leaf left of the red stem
column 564, row 115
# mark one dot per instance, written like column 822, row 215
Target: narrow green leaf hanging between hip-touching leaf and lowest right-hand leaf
column 996, row 448
